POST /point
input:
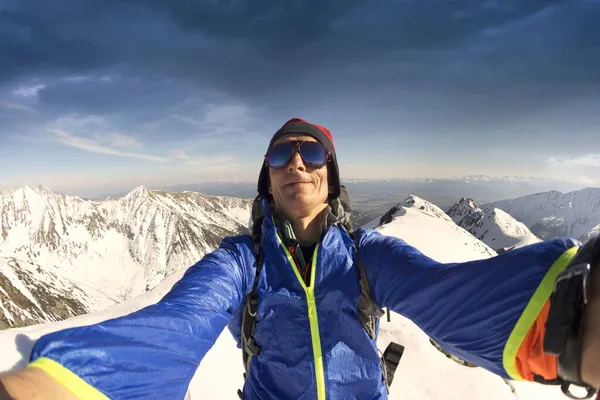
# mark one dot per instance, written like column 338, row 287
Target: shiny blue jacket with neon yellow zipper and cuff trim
column 313, row 346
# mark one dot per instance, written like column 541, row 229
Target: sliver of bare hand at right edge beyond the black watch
column 590, row 359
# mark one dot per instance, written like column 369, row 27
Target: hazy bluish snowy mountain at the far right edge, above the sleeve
column 552, row 214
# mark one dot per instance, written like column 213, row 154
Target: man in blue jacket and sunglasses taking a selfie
column 494, row 313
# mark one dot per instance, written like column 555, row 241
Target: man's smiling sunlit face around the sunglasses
column 298, row 189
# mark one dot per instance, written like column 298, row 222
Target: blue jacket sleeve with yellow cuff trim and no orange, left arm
column 153, row 352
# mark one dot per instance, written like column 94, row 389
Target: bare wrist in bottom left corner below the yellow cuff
column 32, row 383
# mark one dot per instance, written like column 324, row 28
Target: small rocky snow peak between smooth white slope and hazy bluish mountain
column 493, row 227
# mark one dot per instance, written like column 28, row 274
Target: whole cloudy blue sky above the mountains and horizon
column 102, row 96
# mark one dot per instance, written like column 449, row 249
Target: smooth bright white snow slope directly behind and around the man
column 423, row 373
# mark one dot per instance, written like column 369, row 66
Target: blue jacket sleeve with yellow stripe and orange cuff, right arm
column 490, row 312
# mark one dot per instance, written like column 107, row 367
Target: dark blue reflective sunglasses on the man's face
column 313, row 154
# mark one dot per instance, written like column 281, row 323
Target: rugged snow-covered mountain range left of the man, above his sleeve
column 92, row 254
